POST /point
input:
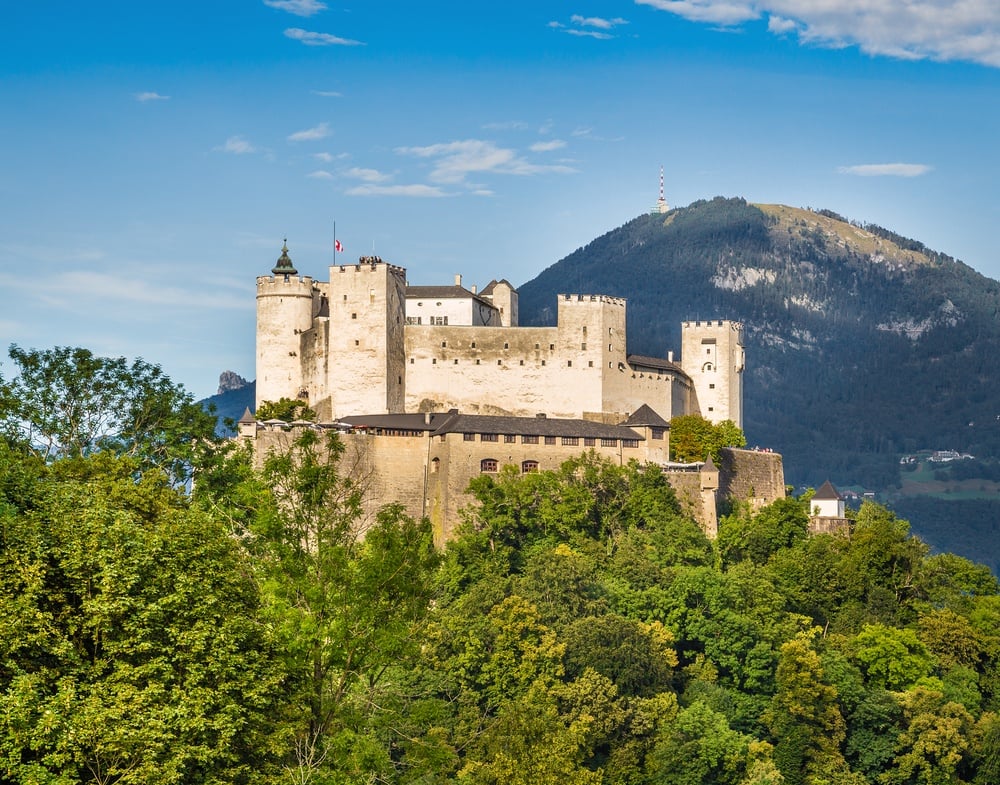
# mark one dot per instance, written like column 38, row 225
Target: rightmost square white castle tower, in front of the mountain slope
column 712, row 355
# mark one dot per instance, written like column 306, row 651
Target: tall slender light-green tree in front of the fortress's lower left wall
column 348, row 604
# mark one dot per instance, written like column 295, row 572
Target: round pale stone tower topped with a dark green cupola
column 284, row 312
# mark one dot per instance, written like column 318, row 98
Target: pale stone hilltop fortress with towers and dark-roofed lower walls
column 434, row 384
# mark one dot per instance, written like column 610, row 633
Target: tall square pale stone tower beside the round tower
column 366, row 365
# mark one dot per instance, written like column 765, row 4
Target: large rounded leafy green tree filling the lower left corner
column 132, row 647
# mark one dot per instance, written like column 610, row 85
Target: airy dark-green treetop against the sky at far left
column 65, row 402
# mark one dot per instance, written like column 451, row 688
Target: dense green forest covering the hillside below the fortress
column 172, row 612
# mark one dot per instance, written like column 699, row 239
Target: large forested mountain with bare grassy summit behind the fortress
column 861, row 345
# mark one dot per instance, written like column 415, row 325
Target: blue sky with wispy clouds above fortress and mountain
column 154, row 155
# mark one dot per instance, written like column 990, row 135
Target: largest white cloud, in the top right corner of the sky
column 963, row 30
